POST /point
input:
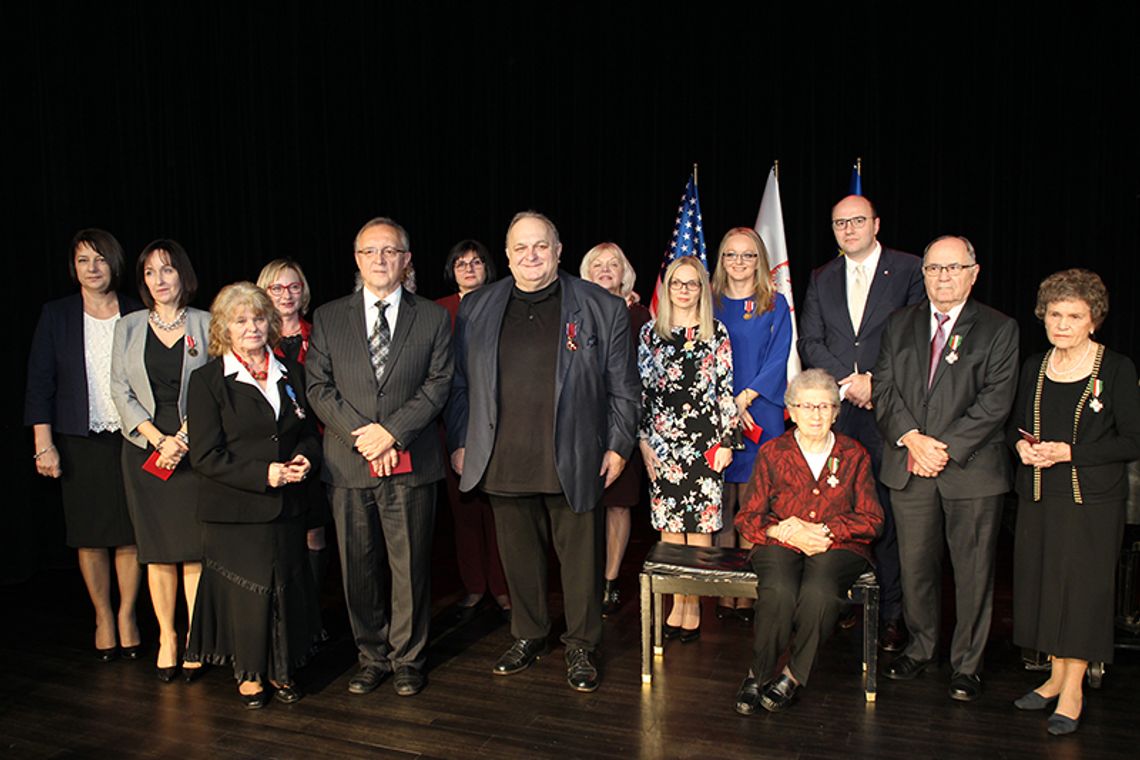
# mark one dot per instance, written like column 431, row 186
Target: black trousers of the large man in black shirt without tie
column 523, row 525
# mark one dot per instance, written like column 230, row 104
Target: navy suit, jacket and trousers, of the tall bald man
column 828, row 341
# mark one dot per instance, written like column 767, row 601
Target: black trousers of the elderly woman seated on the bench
column 799, row 602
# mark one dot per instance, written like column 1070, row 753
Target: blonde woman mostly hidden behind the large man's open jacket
column 607, row 266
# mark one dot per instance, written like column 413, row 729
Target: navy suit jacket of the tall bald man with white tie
column 827, row 339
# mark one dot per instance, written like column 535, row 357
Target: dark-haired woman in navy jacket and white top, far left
column 76, row 427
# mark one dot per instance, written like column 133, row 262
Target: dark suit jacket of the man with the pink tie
column 967, row 406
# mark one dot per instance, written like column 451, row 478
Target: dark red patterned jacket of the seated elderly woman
column 783, row 486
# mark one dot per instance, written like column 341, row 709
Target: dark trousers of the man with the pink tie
column 971, row 528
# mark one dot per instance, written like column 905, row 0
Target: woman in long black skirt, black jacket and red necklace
column 254, row 442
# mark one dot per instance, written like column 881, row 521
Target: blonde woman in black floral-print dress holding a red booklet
column 690, row 424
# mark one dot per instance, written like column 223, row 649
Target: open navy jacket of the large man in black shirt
column 597, row 389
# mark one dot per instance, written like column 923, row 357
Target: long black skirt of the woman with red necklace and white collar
column 257, row 608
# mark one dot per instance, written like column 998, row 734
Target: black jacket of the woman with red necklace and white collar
column 234, row 438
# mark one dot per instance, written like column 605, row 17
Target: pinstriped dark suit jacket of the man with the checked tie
column 344, row 391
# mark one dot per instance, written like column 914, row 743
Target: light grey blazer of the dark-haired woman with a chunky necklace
column 131, row 386
